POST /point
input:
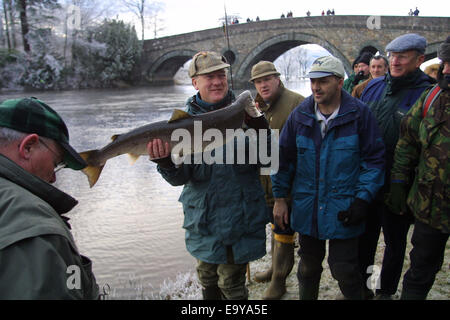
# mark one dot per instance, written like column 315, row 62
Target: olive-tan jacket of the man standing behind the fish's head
column 276, row 114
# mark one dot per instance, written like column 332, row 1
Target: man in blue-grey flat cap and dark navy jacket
column 390, row 97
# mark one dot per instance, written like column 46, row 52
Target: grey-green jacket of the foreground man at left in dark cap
column 38, row 255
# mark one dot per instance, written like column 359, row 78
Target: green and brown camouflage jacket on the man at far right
column 421, row 158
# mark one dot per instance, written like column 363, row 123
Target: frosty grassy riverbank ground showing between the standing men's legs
column 186, row 286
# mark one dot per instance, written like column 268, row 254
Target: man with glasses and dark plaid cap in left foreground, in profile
column 38, row 255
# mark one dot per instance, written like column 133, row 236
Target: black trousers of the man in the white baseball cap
column 343, row 262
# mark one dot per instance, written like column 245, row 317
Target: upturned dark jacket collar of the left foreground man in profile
column 60, row 201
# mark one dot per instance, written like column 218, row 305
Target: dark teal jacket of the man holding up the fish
column 223, row 206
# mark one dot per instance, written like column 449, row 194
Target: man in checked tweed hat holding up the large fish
column 224, row 209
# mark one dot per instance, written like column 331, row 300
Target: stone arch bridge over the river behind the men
column 343, row 36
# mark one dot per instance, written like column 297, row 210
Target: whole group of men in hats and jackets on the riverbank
column 357, row 156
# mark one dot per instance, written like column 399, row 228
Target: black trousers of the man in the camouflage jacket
column 427, row 257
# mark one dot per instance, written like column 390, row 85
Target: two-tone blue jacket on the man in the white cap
column 325, row 175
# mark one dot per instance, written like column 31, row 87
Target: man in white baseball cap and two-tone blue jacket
column 331, row 162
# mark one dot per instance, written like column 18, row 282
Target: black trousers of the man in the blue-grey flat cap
column 395, row 231
